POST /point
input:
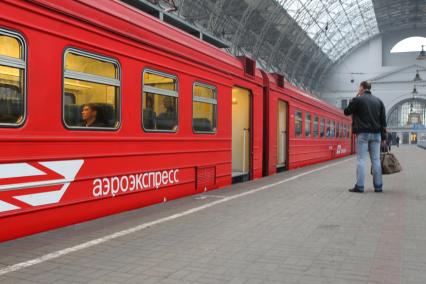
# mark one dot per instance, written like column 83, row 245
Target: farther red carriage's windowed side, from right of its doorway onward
column 312, row 126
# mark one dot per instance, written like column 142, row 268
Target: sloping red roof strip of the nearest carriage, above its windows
column 125, row 20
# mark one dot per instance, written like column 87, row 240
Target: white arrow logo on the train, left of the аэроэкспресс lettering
column 25, row 175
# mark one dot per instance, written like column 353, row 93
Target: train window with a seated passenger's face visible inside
column 91, row 91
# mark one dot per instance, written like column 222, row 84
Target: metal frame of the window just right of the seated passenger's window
column 161, row 92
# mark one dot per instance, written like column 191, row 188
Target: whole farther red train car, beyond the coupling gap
column 300, row 129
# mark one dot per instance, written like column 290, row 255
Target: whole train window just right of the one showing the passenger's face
column 159, row 102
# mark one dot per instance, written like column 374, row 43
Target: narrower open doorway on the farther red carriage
column 282, row 135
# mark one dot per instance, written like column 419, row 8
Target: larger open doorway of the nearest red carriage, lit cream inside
column 241, row 127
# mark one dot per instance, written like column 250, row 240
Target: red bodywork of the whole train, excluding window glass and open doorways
column 52, row 175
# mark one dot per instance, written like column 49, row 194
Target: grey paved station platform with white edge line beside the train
column 301, row 226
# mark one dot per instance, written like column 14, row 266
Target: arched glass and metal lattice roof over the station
column 300, row 39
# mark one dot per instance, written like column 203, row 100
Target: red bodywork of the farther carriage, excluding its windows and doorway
column 302, row 150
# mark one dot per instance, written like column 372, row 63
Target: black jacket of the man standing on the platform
column 368, row 114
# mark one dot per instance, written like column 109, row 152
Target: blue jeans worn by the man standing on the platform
column 368, row 142
